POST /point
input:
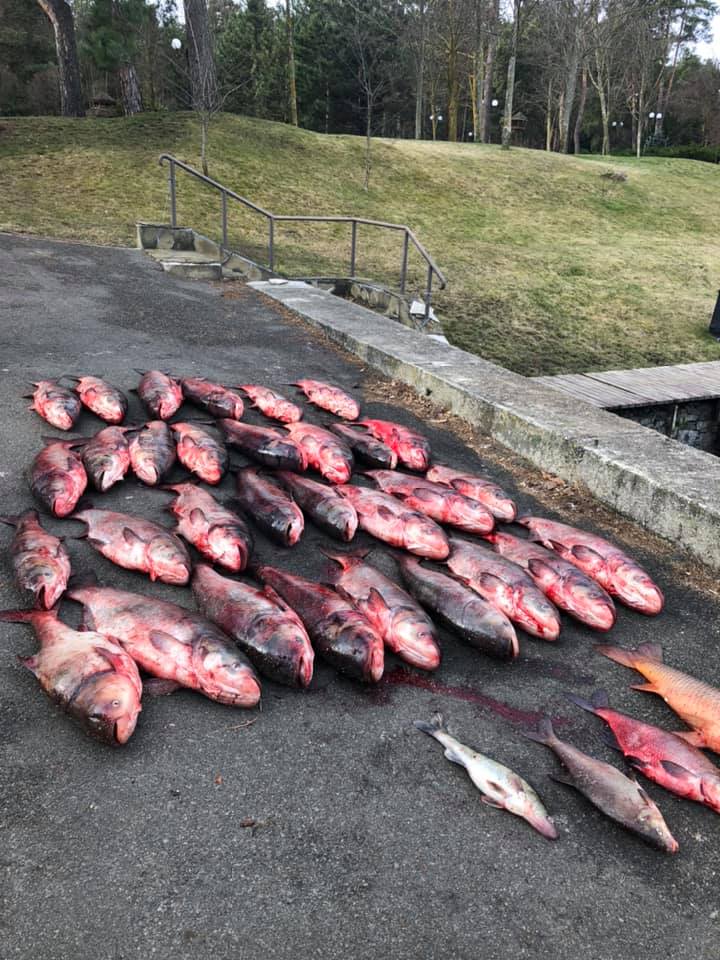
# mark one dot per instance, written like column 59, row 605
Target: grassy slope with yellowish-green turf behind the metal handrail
column 551, row 267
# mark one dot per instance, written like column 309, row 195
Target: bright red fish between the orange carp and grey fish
column 660, row 756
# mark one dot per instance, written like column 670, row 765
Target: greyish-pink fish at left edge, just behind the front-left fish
column 40, row 561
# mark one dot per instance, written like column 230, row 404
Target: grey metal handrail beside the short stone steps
column 273, row 218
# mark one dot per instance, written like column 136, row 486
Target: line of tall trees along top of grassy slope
column 563, row 75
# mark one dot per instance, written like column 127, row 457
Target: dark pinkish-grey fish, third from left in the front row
column 261, row 623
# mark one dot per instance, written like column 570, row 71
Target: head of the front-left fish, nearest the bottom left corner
column 109, row 706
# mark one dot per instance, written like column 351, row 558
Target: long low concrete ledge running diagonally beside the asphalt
column 671, row 489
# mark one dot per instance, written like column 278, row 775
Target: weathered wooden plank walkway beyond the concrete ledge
column 645, row 387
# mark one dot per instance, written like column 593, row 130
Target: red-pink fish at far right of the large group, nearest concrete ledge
column 606, row 563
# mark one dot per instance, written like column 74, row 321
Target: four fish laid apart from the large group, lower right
column 672, row 760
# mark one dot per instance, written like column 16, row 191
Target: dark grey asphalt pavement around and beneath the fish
column 366, row 843
